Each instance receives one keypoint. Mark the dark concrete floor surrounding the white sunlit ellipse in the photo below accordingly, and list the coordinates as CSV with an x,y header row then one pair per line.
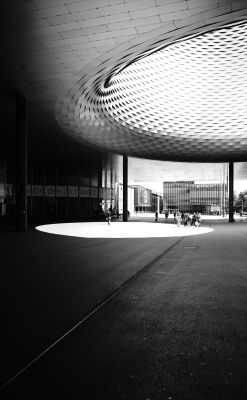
x,y
177,330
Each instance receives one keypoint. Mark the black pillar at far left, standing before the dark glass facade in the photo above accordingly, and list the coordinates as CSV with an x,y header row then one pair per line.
x,y
21,164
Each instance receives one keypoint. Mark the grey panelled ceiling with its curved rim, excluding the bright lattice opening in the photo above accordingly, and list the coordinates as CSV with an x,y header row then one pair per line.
x,y
51,44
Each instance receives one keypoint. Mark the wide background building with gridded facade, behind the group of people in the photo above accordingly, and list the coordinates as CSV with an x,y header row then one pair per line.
x,y
189,196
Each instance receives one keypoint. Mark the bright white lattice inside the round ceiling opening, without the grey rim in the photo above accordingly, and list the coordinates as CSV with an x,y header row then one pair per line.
x,y
192,89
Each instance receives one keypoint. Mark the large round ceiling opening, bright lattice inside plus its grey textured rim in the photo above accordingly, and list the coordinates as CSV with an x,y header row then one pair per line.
x,y
180,96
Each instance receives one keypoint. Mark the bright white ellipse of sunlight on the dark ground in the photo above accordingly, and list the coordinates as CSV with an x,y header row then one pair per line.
x,y
122,229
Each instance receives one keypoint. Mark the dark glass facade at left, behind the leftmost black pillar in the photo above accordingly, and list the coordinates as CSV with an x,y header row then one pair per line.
x,y
57,193
